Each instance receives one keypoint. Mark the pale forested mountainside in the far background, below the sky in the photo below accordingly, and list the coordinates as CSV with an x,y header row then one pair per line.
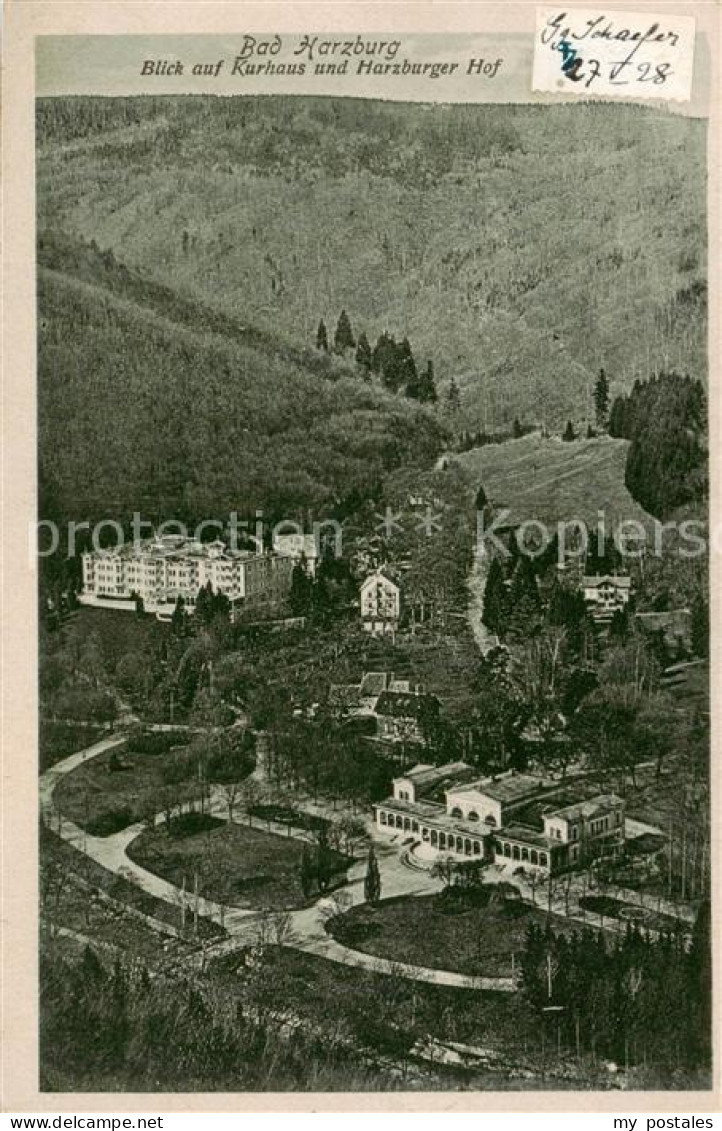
x,y
512,252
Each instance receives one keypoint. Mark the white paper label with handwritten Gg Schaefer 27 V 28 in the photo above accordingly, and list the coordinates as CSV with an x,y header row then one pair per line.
x,y
629,55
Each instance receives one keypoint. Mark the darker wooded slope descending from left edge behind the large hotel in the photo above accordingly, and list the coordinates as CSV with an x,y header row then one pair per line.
x,y
156,404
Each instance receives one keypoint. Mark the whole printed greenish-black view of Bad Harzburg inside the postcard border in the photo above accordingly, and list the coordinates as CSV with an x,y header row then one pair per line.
x,y
373,577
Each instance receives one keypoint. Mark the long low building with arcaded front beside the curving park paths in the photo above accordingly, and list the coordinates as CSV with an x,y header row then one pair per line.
x,y
514,819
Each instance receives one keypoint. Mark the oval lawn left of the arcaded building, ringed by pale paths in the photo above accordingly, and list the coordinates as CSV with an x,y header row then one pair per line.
x,y
237,865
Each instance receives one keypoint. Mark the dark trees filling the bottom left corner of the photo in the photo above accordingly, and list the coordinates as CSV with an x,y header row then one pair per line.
x,y
171,1033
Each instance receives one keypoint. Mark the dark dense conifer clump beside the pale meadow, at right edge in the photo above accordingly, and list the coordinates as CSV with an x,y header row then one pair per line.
x,y
666,421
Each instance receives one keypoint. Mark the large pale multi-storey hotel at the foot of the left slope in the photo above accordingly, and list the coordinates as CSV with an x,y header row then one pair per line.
x,y
159,571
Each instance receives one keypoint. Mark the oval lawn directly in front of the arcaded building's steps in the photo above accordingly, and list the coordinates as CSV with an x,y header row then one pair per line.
x,y
445,933
